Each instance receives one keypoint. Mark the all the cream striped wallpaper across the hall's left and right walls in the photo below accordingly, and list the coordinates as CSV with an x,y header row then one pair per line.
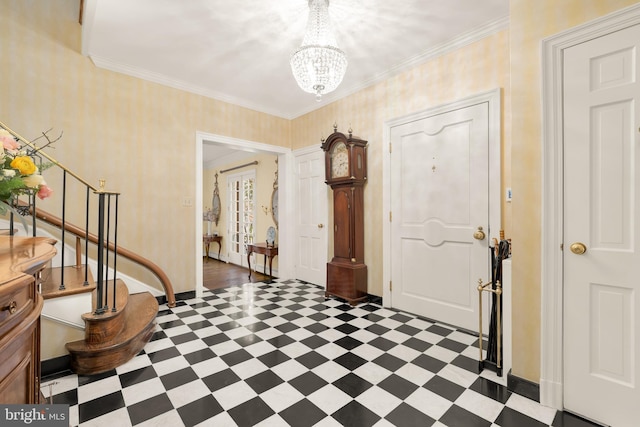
x,y
140,136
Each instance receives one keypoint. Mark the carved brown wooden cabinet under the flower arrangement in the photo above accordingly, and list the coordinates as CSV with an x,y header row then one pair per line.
x,y
22,262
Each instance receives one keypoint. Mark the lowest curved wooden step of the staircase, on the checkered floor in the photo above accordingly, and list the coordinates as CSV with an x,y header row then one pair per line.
x,y
138,327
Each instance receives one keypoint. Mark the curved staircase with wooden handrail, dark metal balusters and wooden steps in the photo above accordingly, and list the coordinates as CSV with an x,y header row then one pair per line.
x,y
112,335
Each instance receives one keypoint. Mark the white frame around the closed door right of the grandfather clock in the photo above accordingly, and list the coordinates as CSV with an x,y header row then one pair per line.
x,y
494,100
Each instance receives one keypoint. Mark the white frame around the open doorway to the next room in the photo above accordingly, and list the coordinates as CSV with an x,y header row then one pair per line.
x,y
286,232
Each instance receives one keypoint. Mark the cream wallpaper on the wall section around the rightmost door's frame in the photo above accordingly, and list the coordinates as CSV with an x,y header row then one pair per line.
x,y
530,22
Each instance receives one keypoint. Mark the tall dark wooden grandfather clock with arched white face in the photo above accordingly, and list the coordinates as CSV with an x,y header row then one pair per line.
x,y
346,173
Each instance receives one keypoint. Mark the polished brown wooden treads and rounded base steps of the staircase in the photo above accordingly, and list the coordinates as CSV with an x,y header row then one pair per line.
x,y
113,337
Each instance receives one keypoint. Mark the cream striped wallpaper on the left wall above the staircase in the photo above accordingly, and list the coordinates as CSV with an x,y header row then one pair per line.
x,y
138,136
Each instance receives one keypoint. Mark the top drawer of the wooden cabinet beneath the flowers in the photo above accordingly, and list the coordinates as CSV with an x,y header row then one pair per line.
x,y
16,299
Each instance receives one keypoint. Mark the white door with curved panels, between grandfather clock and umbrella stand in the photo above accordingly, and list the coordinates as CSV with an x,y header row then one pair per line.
x,y
439,197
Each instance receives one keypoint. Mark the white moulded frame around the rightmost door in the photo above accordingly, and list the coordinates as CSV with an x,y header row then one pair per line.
x,y
551,337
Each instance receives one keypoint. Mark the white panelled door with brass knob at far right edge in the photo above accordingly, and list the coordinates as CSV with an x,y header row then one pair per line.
x,y
602,215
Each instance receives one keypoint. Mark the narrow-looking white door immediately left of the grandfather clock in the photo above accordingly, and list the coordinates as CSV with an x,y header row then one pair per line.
x,y
311,218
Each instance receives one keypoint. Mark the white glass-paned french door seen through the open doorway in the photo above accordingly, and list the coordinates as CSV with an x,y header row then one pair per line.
x,y
241,214
